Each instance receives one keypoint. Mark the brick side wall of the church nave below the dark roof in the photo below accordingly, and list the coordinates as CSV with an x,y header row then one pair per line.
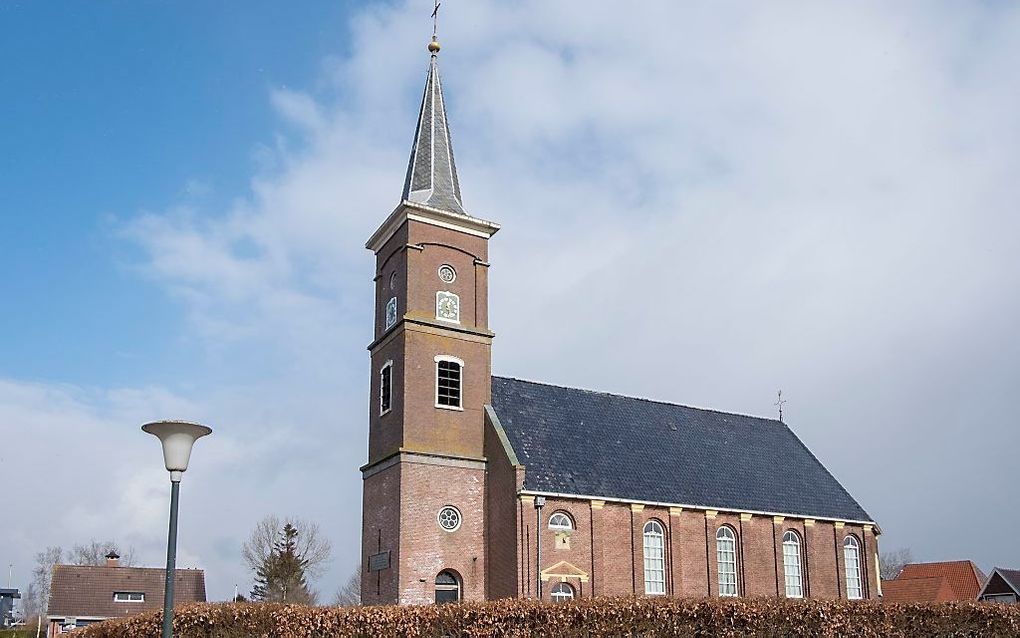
x,y
607,545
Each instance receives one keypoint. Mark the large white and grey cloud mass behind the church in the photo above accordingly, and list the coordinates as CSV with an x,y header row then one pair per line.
x,y
727,200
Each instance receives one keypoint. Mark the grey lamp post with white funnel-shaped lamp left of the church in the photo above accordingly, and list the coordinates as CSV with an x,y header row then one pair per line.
x,y
178,437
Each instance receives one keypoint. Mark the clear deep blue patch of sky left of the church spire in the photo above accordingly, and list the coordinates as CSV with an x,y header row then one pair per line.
x,y
111,109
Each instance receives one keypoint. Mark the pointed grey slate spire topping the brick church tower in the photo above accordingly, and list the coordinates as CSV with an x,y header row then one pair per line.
x,y
432,174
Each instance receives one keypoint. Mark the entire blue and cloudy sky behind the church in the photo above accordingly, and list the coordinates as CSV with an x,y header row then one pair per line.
x,y
701,204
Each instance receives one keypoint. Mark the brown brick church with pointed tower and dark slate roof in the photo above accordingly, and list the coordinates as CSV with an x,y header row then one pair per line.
x,y
482,487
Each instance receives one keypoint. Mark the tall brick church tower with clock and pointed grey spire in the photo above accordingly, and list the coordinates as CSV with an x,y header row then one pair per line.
x,y
424,515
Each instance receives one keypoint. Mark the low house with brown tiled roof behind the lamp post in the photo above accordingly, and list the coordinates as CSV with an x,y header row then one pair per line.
x,y
82,595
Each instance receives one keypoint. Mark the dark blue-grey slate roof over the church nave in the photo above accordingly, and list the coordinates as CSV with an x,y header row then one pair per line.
x,y
604,446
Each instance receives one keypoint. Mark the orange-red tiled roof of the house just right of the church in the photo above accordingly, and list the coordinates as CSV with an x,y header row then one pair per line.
x,y
935,582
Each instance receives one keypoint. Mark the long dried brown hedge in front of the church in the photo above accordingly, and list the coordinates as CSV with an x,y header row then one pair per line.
x,y
599,617
